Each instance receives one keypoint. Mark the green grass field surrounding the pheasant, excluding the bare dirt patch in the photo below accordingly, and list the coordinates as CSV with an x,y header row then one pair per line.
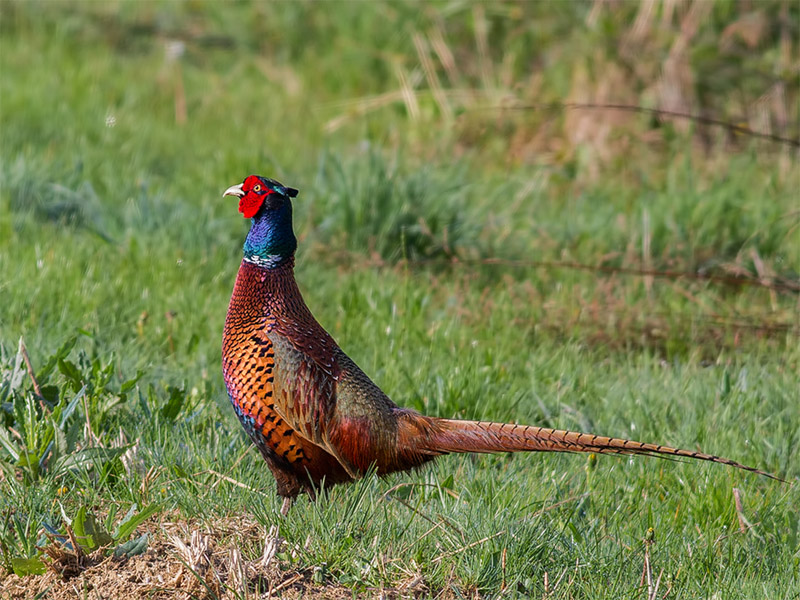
x,y
112,231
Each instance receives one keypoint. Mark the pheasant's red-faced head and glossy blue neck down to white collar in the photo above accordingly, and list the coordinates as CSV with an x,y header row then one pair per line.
x,y
271,241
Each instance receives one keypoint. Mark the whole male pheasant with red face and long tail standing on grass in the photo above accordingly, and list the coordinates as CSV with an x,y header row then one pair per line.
x,y
314,415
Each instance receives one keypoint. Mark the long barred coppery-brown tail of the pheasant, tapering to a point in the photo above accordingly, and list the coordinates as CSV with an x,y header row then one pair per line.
x,y
448,435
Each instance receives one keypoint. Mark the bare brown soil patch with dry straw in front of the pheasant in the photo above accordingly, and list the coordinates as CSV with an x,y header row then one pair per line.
x,y
183,563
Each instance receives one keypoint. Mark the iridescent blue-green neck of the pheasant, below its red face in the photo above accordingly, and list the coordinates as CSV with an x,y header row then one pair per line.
x,y
271,241
